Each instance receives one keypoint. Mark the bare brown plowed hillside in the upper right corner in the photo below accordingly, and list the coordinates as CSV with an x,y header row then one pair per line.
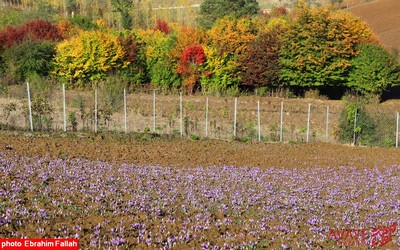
x,y
383,16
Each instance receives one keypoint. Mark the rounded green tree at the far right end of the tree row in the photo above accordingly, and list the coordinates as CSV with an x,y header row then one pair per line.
x,y
373,70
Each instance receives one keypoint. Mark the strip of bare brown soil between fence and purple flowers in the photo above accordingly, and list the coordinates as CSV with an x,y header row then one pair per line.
x,y
175,151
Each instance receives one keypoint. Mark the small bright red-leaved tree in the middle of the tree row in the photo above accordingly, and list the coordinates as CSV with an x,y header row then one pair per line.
x,y
189,66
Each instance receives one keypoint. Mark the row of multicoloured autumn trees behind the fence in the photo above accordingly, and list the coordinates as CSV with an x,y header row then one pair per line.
x,y
305,49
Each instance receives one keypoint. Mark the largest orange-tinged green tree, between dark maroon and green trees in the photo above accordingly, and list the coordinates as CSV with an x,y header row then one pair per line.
x,y
318,46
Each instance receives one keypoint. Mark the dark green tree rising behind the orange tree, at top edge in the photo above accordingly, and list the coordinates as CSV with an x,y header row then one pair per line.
x,y
211,10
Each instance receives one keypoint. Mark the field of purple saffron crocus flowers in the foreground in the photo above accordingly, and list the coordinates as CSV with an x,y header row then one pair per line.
x,y
126,205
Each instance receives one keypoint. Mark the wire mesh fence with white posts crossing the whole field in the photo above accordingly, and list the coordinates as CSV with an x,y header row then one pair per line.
x,y
247,118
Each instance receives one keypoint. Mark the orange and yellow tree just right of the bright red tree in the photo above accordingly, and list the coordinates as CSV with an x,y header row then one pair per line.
x,y
227,42
